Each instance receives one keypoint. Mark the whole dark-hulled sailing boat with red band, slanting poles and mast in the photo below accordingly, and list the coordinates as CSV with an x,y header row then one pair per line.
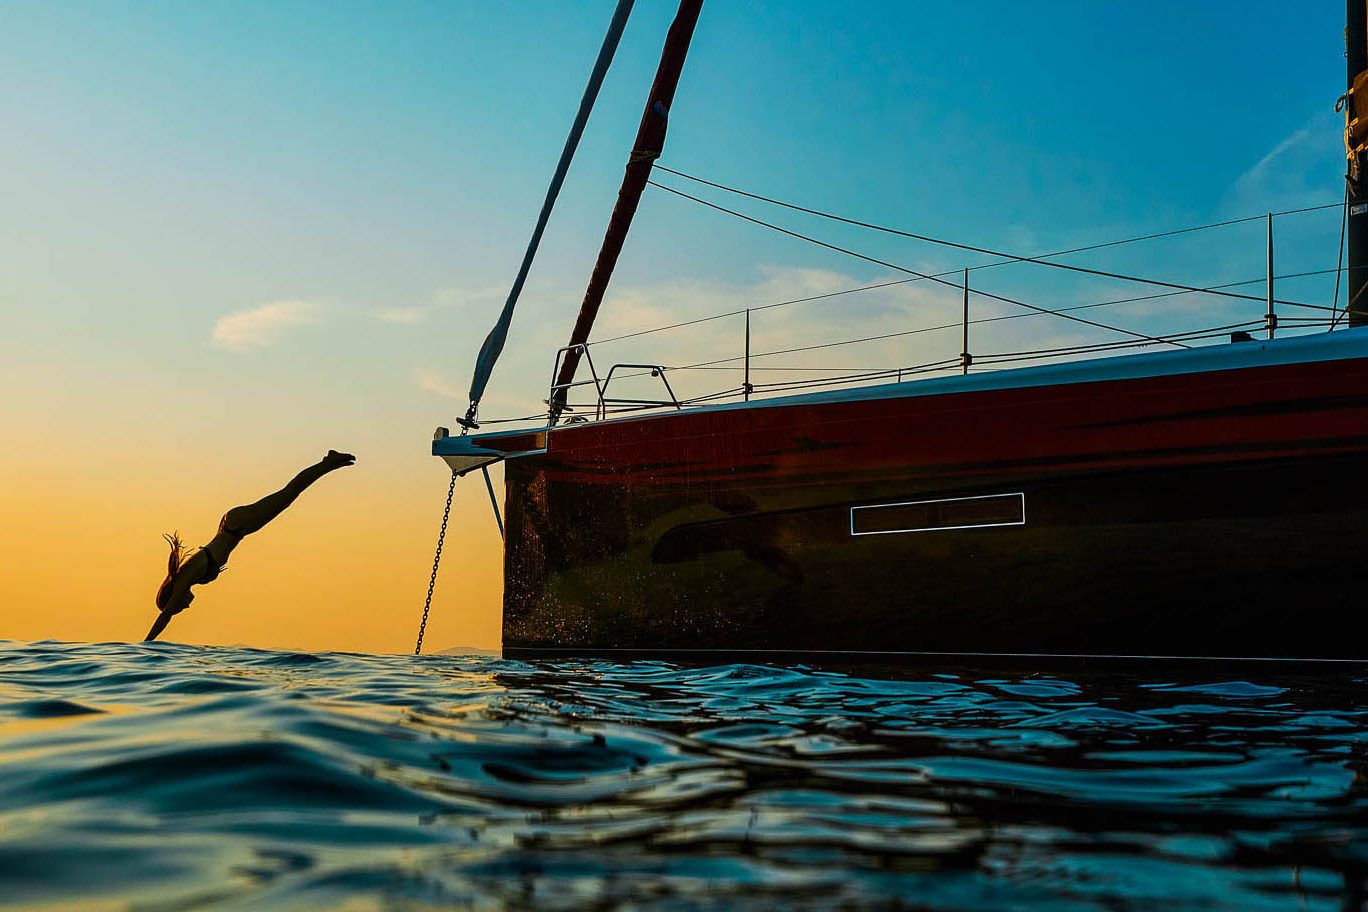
x,y
1202,502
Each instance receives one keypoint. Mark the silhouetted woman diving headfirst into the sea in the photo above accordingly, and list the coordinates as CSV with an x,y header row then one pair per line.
x,y
209,563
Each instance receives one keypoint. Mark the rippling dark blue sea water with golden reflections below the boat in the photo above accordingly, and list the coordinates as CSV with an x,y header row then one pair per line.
x,y
168,777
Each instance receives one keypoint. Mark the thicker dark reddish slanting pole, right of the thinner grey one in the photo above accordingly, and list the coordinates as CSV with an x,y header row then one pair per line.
x,y
646,150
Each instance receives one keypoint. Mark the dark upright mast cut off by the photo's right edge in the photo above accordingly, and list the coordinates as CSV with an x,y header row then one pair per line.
x,y
1356,136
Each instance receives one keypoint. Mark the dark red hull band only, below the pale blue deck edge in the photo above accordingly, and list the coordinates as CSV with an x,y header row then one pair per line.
x,y
1247,414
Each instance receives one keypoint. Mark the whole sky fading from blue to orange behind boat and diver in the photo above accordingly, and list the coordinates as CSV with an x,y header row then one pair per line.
x,y
236,234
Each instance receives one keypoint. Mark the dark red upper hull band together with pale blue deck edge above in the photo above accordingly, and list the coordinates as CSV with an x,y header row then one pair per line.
x,y
1114,414
